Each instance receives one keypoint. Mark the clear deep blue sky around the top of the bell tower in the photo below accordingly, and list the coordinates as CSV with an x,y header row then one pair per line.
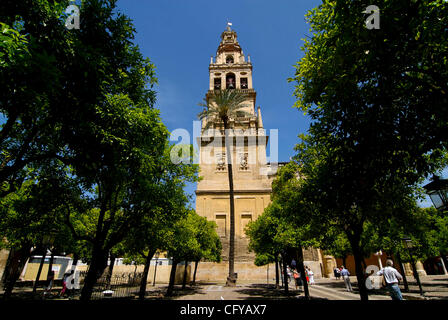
x,y
180,36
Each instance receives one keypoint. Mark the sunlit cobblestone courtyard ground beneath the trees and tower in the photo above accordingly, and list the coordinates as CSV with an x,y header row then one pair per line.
x,y
434,287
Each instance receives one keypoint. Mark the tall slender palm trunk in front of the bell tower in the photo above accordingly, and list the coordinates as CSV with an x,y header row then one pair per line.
x,y
231,280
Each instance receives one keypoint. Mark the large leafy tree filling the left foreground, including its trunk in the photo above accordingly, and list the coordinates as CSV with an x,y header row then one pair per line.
x,y
80,105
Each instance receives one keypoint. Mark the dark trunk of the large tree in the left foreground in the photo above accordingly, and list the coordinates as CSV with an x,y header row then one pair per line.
x,y
96,268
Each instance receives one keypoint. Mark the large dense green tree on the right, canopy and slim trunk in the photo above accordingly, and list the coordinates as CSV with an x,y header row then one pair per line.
x,y
376,99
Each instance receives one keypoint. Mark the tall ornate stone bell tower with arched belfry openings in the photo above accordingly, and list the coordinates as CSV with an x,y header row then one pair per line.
x,y
252,175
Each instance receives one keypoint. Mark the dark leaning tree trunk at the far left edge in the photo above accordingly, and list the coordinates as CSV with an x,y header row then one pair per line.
x,y
16,263
